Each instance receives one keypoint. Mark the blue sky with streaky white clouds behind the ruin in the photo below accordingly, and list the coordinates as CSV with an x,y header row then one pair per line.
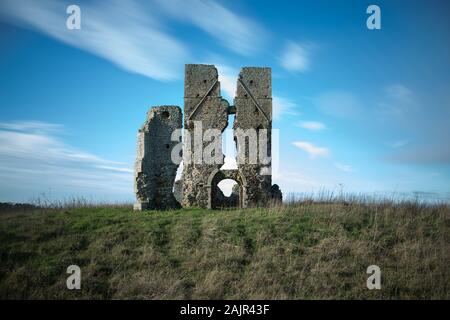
x,y
359,109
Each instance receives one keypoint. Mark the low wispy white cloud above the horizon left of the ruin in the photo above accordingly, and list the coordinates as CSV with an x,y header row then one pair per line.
x,y
34,159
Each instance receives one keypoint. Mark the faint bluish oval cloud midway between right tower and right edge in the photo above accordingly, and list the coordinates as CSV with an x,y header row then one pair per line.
x,y
339,104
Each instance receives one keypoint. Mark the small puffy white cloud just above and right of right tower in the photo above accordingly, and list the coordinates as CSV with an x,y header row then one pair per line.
x,y
295,57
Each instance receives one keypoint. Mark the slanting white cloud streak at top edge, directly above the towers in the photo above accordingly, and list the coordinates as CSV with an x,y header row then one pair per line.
x,y
233,31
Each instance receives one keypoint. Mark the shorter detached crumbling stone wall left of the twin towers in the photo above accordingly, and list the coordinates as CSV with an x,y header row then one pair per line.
x,y
154,169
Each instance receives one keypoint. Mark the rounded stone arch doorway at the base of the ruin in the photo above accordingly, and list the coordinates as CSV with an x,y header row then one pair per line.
x,y
218,175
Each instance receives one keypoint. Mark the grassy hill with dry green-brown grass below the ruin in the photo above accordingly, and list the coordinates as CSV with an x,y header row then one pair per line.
x,y
300,251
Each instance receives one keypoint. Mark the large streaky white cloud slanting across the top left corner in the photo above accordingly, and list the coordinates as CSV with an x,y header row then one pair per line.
x,y
122,32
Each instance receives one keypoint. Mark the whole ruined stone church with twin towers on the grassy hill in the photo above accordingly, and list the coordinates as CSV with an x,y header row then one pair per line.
x,y
155,170
